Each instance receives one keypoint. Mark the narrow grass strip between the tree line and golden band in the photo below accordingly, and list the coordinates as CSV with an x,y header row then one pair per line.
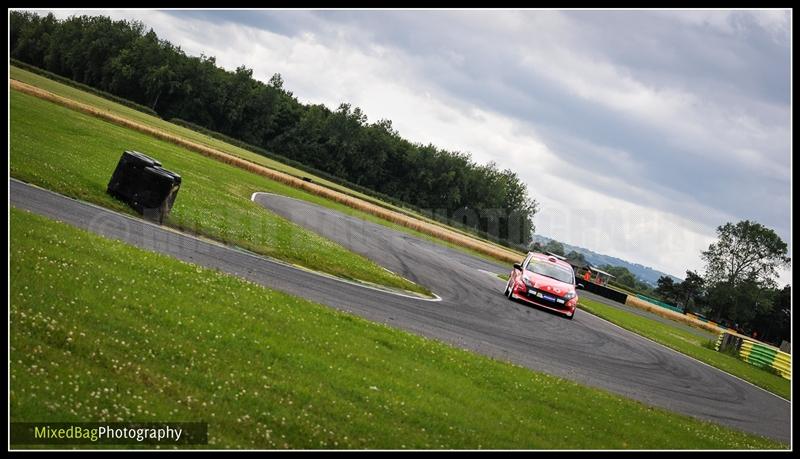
x,y
158,123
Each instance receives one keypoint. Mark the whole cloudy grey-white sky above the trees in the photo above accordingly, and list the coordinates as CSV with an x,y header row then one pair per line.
x,y
638,132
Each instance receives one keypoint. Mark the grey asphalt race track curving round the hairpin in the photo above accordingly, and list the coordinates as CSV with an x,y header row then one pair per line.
x,y
472,314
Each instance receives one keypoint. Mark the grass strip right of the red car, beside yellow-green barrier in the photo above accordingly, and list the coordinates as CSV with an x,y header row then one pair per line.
x,y
689,344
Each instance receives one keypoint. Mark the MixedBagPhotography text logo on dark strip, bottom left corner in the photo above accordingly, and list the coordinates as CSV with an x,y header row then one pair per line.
x,y
109,433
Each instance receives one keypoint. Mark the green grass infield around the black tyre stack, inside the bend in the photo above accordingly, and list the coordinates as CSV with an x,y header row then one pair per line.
x,y
75,154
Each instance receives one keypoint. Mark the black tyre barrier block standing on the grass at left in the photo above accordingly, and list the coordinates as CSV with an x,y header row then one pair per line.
x,y
143,184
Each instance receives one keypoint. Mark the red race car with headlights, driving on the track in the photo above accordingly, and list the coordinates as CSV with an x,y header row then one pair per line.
x,y
544,281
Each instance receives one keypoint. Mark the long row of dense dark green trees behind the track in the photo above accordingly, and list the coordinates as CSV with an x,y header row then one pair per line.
x,y
124,59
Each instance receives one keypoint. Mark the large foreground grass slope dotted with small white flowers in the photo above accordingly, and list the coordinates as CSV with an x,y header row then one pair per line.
x,y
103,331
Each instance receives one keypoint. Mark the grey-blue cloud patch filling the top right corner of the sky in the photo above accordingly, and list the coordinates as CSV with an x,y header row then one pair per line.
x,y
660,50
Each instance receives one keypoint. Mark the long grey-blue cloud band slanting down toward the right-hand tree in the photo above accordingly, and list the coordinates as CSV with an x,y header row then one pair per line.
x,y
558,117
